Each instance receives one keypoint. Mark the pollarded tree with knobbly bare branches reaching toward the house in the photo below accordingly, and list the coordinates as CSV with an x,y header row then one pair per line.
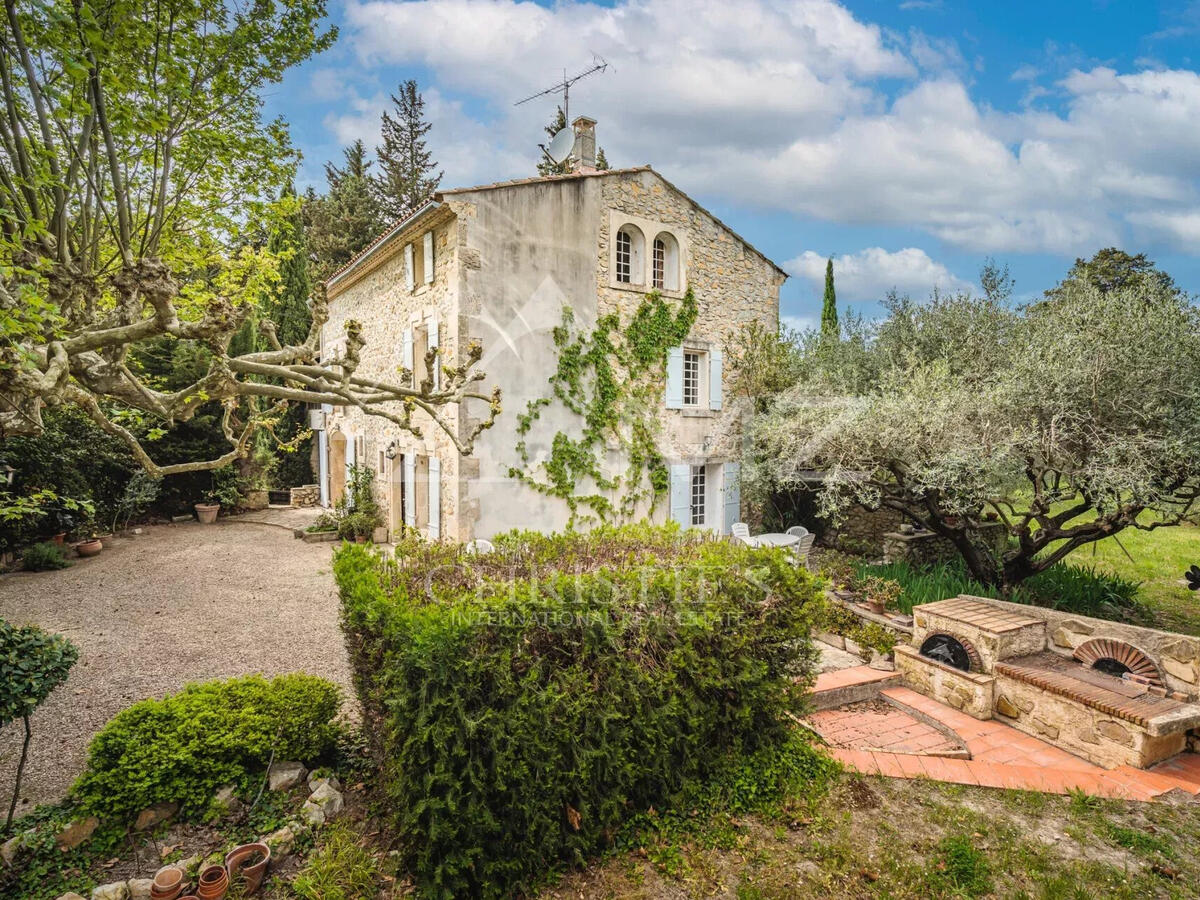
x,y
136,171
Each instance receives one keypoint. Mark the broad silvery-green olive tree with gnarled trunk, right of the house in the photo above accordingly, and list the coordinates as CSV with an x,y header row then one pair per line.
x,y
1069,422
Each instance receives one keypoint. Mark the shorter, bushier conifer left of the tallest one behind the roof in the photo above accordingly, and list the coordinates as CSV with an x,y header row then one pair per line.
x,y
347,219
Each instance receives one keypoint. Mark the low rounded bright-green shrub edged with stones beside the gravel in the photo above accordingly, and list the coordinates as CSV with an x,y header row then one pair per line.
x,y
185,747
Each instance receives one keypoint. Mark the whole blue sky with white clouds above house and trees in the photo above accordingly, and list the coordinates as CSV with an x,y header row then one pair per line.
x,y
910,140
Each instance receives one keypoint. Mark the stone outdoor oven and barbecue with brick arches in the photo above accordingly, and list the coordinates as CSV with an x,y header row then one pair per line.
x,y
1113,694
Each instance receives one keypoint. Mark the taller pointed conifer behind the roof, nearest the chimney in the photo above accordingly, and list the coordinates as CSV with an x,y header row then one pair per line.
x,y
406,165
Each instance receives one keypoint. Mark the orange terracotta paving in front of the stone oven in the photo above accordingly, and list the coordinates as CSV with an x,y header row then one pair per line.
x,y
1001,757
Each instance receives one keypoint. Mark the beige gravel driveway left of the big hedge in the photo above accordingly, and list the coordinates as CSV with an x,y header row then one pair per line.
x,y
155,611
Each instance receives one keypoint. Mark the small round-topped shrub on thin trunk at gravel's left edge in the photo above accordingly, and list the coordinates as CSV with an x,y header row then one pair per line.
x,y
33,663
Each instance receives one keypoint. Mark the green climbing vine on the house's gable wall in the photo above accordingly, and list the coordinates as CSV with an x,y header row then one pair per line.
x,y
613,379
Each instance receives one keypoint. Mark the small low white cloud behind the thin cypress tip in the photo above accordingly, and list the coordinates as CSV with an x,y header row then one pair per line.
x,y
871,274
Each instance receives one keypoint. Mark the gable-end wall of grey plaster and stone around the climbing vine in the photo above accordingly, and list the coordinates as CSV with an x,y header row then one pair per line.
x,y
533,249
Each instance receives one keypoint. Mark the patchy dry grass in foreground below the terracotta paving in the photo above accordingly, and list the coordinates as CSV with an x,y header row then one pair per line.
x,y
909,841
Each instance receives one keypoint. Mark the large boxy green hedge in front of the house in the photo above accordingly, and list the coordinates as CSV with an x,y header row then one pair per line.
x,y
524,705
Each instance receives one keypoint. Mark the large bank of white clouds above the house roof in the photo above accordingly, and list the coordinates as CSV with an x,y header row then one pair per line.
x,y
793,106
